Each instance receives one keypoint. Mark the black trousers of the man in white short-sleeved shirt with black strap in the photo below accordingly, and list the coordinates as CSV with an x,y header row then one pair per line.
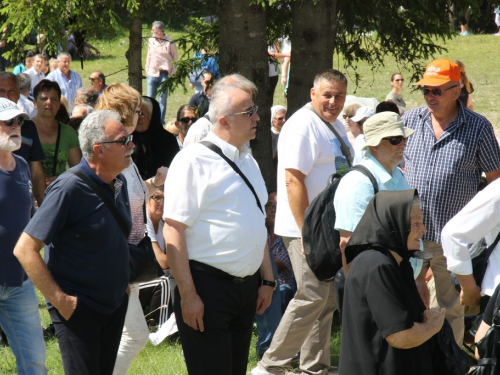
x,y
229,312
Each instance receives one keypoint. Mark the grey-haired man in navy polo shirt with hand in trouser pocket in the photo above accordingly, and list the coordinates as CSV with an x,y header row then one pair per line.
x,y
86,274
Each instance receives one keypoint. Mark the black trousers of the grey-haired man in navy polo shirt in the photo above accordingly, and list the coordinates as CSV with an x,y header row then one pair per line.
x,y
89,340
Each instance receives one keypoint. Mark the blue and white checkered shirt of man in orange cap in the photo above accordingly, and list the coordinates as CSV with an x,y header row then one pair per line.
x,y
446,172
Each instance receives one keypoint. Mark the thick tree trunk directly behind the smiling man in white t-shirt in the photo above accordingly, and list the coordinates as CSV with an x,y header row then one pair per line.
x,y
312,47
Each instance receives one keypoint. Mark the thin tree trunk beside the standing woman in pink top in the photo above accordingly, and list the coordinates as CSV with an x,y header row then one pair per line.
x,y
134,52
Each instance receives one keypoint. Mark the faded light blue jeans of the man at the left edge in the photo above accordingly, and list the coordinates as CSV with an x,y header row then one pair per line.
x,y
20,320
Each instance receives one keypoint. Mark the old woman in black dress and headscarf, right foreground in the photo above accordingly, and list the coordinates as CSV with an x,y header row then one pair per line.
x,y
386,328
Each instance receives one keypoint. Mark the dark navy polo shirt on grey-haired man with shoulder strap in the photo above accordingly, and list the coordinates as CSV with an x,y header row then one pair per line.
x,y
86,251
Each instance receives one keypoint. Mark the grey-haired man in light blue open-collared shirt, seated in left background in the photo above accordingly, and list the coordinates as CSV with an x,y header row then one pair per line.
x,y
69,81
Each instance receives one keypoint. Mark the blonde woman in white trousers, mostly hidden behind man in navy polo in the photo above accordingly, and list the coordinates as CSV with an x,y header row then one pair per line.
x,y
127,102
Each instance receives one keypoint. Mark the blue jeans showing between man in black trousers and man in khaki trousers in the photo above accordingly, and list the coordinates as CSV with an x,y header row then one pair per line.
x,y
269,320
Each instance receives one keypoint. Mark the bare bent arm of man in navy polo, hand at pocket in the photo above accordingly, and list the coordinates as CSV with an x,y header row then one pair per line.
x,y
27,251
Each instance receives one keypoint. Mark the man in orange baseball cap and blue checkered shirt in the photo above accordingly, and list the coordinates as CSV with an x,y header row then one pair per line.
x,y
451,148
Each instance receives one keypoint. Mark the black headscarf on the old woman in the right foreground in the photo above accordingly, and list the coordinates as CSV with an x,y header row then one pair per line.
x,y
385,224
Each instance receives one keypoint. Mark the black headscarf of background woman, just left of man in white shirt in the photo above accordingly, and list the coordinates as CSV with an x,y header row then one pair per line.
x,y
161,145
